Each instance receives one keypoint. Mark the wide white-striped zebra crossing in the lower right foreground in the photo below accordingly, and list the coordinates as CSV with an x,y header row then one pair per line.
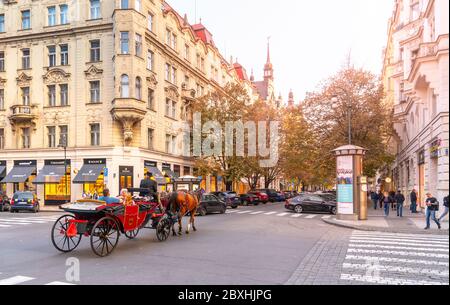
x,y
396,259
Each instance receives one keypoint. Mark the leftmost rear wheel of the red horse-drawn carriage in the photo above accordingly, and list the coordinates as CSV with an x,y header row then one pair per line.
x,y
60,240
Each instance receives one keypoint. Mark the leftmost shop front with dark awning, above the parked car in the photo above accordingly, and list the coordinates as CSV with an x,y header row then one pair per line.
x,y
22,175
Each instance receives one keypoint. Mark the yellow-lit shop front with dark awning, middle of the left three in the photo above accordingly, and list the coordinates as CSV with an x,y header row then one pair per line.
x,y
55,177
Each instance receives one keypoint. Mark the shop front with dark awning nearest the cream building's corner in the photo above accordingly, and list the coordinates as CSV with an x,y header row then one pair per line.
x,y
91,176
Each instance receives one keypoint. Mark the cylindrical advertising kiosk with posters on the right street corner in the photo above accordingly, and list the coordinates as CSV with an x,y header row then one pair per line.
x,y
350,190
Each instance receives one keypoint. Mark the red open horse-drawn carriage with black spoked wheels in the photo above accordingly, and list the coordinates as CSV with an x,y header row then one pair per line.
x,y
103,223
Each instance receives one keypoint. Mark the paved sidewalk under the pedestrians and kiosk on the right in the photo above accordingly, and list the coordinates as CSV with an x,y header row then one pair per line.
x,y
410,223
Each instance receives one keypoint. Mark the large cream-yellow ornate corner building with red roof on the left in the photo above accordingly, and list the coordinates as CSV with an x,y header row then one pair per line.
x,y
107,83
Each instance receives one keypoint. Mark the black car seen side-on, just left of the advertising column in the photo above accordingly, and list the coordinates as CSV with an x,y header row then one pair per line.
x,y
312,203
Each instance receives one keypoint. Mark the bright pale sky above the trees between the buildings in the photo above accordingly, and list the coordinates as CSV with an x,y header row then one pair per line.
x,y
310,39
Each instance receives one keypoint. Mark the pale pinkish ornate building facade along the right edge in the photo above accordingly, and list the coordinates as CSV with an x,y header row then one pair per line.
x,y
415,77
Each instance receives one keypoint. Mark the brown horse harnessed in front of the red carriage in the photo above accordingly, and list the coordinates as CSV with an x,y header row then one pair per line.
x,y
184,203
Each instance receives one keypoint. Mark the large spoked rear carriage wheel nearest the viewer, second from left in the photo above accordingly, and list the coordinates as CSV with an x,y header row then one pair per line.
x,y
104,236
